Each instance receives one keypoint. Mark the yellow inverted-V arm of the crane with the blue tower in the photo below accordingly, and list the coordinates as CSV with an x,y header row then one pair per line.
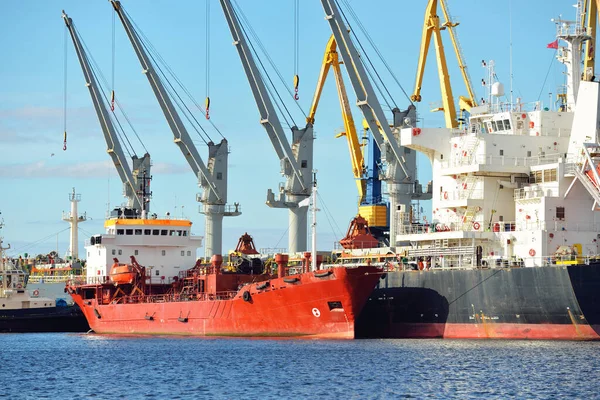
x,y
331,59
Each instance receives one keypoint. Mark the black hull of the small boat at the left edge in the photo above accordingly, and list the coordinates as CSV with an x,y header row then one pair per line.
x,y
54,319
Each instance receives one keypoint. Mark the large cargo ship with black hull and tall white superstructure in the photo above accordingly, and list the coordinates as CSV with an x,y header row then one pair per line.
x,y
511,248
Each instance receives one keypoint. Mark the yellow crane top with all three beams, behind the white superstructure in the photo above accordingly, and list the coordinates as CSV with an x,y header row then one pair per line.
x,y
432,26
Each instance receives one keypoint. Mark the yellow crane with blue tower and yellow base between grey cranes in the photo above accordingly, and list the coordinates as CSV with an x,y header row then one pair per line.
x,y
370,203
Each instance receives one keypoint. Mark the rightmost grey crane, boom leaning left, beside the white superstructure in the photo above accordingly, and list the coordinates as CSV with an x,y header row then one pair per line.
x,y
400,163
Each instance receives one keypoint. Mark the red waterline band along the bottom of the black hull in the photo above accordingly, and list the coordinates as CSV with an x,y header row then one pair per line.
x,y
497,331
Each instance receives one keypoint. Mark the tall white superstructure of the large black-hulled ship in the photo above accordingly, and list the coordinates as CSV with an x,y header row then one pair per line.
x,y
518,185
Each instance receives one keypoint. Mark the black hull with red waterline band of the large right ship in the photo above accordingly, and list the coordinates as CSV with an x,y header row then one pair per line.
x,y
554,302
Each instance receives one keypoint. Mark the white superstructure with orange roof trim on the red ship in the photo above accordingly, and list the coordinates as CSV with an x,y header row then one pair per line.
x,y
165,246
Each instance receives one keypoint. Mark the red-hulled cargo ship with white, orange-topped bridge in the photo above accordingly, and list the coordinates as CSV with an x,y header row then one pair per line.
x,y
245,295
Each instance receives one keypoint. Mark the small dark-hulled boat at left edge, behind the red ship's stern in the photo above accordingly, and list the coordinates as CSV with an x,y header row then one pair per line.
x,y
21,311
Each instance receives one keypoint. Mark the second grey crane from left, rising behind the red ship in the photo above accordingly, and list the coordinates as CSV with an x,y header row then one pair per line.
x,y
212,179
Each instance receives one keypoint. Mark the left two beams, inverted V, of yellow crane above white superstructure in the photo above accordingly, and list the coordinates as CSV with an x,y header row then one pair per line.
x,y
431,27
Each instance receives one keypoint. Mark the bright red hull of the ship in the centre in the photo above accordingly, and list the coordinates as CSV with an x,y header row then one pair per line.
x,y
299,308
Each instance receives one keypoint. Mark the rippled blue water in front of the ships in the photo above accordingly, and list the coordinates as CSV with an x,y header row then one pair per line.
x,y
68,366
